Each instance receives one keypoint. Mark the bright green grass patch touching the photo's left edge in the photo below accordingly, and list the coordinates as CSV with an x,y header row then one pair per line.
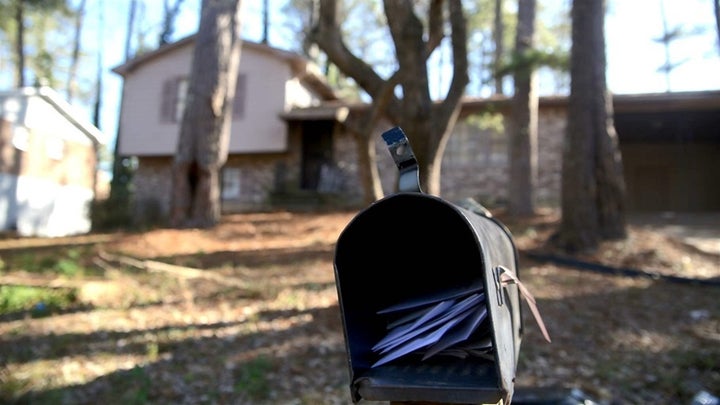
x,y
39,300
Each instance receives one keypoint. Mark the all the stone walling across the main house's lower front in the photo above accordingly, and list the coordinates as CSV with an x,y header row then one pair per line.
x,y
475,165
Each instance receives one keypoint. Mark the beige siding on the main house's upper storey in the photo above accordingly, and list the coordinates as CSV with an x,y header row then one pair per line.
x,y
270,90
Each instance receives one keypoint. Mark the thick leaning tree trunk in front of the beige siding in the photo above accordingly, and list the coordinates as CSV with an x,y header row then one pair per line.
x,y
205,129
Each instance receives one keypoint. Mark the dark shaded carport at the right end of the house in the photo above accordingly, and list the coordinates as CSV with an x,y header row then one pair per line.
x,y
670,143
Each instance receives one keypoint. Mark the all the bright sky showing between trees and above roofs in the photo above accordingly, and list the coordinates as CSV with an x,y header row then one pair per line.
x,y
631,25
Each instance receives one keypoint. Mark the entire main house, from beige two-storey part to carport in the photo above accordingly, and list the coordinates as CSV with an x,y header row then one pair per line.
x,y
290,146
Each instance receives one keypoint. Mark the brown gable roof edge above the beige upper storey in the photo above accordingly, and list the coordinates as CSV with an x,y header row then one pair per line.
x,y
303,68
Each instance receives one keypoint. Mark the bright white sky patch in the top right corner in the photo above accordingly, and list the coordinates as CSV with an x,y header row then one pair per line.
x,y
633,57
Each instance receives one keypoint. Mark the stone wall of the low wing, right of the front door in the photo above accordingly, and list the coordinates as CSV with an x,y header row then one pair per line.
x,y
475,163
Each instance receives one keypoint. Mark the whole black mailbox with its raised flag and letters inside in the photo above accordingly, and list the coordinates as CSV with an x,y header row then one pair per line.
x,y
402,267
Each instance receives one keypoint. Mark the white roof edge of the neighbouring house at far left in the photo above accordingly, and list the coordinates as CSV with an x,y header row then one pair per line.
x,y
63,108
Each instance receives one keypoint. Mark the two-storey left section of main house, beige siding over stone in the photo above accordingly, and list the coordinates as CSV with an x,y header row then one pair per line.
x,y
270,82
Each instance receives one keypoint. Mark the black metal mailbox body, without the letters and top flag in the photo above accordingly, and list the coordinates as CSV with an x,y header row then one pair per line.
x,y
412,244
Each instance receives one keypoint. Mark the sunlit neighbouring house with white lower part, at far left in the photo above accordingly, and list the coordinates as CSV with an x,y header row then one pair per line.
x,y
48,161
